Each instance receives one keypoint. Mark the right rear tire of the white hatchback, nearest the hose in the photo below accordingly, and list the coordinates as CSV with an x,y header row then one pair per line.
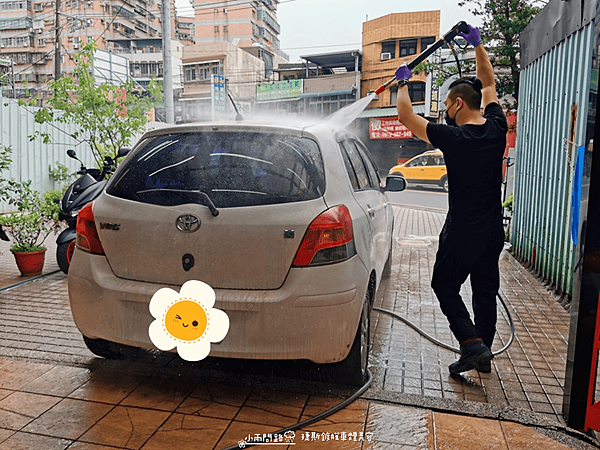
x,y
353,369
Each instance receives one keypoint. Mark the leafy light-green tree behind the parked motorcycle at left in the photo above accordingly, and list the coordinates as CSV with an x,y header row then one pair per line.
x,y
106,115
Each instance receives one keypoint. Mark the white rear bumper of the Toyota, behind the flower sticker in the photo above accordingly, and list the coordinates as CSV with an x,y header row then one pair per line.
x,y
313,316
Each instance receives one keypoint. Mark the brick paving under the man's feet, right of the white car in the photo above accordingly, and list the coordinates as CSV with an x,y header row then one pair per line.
x,y
530,375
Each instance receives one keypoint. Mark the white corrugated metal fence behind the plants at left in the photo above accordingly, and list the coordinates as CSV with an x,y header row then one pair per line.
x,y
31,159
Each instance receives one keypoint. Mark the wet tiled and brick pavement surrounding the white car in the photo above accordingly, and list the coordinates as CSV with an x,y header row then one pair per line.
x,y
54,393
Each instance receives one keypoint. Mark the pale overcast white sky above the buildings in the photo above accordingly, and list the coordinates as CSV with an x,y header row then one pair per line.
x,y
310,27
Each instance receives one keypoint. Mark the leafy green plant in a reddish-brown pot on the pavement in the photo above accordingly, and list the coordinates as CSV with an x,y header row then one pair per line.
x,y
29,226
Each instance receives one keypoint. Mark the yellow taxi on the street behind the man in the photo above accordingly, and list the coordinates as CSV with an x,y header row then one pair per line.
x,y
426,168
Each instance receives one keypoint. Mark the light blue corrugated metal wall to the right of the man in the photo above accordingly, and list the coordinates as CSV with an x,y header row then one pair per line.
x,y
552,119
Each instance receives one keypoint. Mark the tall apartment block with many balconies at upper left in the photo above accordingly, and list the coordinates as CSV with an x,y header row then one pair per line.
x,y
28,31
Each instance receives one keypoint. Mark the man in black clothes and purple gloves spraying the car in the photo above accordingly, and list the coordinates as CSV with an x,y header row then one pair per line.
x,y
473,144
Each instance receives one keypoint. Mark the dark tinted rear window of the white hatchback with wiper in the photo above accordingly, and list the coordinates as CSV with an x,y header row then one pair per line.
x,y
234,169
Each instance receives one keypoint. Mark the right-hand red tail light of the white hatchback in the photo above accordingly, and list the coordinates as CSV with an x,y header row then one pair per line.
x,y
329,239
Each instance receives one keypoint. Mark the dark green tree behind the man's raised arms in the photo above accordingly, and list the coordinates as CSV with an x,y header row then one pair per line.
x,y
502,24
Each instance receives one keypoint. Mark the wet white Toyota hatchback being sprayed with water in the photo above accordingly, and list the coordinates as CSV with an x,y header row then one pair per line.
x,y
290,227
